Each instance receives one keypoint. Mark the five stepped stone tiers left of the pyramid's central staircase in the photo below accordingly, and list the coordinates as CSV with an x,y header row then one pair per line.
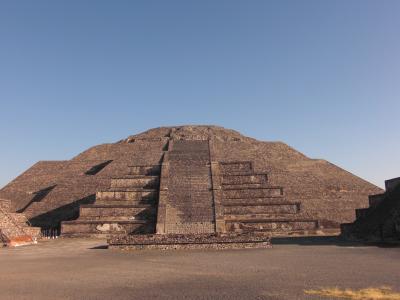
x,y
129,206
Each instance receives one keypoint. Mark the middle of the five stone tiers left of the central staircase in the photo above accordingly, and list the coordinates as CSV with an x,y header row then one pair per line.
x,y
128,195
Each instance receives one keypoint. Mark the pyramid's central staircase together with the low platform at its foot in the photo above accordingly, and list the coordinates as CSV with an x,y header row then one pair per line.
x,y
186,211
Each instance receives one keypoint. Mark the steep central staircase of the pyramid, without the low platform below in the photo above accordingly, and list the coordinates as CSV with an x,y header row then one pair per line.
x,y
189,200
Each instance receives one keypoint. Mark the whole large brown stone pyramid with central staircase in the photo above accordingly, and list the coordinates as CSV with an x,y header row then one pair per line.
x,y
191,184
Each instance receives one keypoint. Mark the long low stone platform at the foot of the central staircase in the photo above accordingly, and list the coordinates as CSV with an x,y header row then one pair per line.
x,y
189,241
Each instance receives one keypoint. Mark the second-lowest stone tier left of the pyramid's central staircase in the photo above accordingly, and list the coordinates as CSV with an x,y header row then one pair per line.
x,y
128,211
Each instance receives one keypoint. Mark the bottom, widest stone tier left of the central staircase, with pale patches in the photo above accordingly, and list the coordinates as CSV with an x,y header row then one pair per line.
x,y
105,227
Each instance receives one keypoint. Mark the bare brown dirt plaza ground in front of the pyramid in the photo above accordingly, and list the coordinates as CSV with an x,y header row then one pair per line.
x,y
84,269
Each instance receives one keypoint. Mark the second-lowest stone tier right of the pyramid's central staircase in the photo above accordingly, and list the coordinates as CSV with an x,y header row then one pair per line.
x,y
288,208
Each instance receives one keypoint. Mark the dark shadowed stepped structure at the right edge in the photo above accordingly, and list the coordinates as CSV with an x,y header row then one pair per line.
x,y
381,220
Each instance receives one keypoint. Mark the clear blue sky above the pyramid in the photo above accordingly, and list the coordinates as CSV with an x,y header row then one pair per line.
x,y
322,76
